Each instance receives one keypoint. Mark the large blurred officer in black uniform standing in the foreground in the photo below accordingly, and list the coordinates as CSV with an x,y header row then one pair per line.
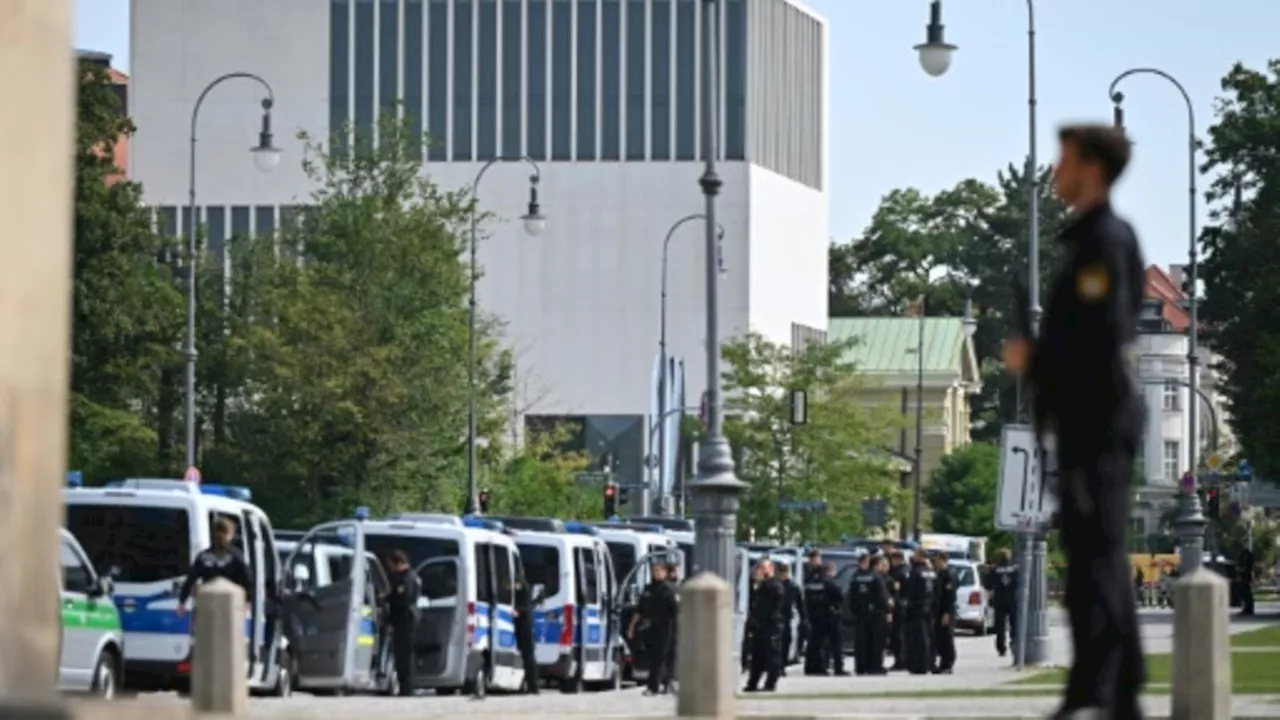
x,y
1085,393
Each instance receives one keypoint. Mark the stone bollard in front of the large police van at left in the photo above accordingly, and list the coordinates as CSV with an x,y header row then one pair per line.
x,y
218,683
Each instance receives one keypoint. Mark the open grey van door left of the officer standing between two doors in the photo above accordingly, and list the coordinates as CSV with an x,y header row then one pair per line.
x,y
322,607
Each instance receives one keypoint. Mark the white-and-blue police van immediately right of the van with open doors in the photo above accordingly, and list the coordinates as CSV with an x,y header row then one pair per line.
x,y
577,632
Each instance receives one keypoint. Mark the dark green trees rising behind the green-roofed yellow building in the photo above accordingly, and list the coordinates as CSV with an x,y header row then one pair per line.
x,y
939,247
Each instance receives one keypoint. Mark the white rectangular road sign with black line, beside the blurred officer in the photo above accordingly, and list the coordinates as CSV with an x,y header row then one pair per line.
x,y
1027,476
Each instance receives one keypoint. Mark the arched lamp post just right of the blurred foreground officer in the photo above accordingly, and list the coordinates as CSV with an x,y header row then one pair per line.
x,y
1191,521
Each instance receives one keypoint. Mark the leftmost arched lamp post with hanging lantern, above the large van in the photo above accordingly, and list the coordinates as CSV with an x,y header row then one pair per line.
x,y
267,157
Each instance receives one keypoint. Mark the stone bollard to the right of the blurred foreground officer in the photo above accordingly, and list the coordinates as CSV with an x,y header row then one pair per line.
x,y
1203,653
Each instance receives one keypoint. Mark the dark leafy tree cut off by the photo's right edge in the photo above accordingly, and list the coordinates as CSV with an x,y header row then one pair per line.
x,y
1241,312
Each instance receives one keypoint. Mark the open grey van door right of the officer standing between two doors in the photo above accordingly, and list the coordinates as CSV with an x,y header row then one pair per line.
x,y
442,640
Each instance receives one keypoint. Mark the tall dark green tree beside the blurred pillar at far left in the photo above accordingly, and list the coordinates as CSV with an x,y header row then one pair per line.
x,y
127,307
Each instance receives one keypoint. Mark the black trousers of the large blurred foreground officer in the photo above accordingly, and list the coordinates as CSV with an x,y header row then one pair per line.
x,y
1096,471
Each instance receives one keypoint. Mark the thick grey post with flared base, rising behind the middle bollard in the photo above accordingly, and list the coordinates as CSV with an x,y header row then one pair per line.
x,y
717,491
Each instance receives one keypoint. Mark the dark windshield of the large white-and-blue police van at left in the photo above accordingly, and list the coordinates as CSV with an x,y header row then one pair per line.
x,y
143,545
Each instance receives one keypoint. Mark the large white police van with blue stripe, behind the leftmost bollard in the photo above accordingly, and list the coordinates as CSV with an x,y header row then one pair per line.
x,y
145,535
